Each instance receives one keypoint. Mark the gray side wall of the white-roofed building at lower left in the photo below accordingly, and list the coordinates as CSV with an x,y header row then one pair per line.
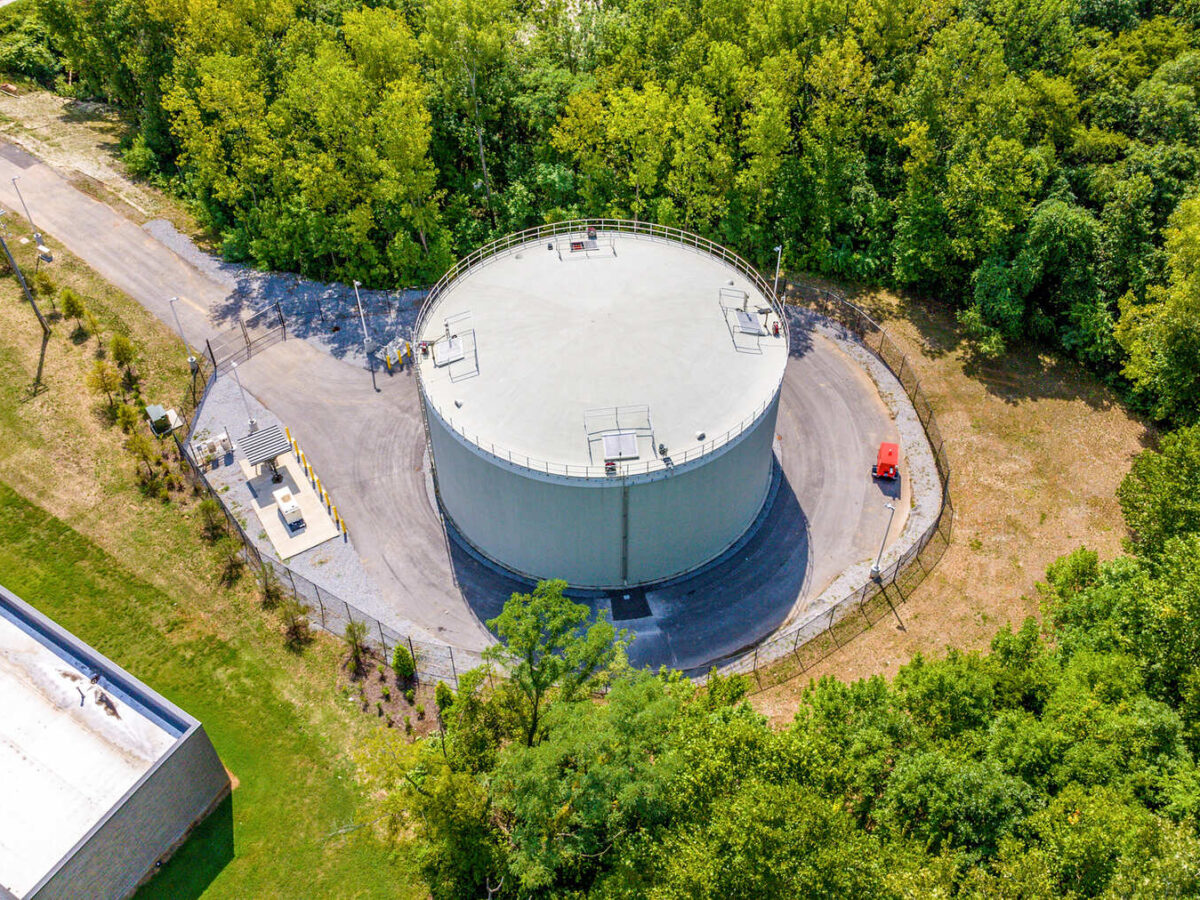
x,y
148,823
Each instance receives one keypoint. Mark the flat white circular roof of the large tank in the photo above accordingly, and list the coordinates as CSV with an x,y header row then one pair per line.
x,y
550,350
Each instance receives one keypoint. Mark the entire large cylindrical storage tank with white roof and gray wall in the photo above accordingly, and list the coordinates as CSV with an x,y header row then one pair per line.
x,y
601,400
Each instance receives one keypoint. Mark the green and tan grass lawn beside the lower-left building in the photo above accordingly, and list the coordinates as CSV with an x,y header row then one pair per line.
x,y
134,578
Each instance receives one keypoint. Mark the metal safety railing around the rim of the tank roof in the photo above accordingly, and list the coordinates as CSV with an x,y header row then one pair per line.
x,y
501,247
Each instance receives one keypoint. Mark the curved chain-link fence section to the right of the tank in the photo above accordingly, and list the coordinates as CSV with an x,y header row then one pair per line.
x,y
800,647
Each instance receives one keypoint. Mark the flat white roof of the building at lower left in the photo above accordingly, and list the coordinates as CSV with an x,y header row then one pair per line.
x,y
69,752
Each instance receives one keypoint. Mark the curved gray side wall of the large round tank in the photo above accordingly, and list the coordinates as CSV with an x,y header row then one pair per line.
x,y
572,530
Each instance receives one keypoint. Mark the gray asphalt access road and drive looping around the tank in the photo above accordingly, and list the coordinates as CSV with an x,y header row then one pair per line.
x,y
369,447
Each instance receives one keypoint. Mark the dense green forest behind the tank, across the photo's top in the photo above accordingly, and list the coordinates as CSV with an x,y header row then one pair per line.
x,y
1030,163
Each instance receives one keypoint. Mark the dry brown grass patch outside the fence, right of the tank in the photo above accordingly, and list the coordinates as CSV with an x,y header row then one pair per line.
x,y
1037,448
